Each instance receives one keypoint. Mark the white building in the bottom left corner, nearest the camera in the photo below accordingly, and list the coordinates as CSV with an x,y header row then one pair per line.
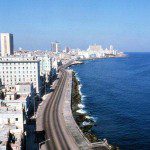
x,y
11,128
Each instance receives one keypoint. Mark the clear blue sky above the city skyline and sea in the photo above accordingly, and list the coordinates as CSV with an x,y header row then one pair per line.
x,y
77,23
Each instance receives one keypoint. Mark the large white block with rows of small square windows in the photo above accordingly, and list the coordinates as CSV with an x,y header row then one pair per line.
x,y
13,72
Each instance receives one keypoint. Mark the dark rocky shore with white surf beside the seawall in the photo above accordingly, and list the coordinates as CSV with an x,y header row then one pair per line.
x,y
84,121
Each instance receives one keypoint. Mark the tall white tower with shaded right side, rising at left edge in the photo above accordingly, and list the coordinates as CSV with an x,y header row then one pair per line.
x,y
7,45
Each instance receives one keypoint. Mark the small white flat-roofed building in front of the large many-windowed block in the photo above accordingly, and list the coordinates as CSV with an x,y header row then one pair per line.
x,y
20,97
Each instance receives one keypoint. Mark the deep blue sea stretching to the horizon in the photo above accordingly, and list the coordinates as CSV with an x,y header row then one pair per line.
x,y
116,92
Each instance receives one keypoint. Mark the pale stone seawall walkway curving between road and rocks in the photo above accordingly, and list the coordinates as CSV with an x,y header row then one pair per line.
x,y
71,125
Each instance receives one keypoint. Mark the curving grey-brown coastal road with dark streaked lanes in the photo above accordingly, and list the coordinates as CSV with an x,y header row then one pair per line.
x,y
54,124
